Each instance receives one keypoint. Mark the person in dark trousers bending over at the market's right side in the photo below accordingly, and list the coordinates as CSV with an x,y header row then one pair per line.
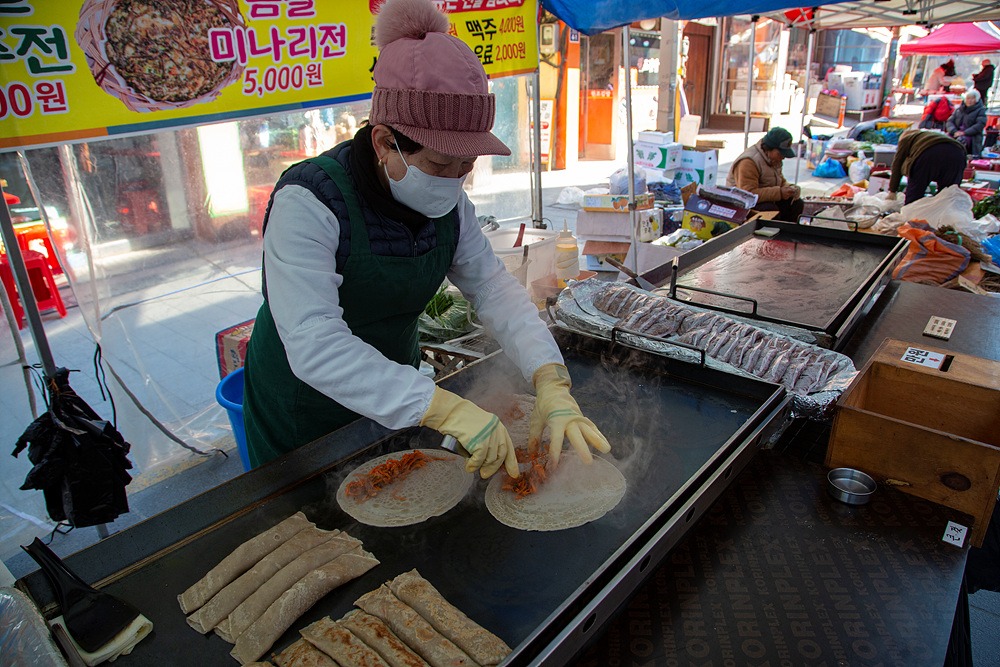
x,y
926,156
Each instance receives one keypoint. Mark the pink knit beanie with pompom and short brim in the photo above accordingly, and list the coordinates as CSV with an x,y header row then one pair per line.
x,y
429,85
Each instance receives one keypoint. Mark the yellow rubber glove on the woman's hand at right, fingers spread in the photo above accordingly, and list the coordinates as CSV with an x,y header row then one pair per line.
x,y
555,408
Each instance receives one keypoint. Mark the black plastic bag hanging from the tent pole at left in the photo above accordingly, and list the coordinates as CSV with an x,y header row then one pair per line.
x,y
80,460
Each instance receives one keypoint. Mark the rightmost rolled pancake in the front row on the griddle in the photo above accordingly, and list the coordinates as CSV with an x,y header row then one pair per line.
x,y
482,645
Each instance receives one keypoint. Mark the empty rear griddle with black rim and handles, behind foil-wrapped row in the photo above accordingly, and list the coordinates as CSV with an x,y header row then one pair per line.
x,y
815,279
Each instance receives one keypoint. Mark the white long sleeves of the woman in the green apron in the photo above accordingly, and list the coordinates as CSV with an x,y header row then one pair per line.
x,y
300,249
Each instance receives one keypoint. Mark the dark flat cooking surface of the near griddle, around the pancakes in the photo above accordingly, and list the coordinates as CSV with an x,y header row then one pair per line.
x,y
665,431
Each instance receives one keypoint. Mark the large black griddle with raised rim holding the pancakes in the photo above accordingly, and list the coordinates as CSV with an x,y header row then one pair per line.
x,y
680,434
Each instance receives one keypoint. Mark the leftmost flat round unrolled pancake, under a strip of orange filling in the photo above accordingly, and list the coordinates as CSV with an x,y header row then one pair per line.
x,y
428,491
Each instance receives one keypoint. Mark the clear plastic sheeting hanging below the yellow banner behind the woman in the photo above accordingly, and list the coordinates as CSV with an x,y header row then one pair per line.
x,y
159,238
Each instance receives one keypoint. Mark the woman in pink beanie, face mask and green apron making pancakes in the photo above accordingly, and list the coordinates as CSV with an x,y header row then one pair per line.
x,y
359,239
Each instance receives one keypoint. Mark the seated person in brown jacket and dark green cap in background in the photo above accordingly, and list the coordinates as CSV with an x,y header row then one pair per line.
x,y
758,170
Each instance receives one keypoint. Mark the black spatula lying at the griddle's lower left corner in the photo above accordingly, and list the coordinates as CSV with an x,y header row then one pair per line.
x,y
93,618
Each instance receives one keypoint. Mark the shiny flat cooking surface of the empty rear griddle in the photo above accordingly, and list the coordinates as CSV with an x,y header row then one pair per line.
x,y
796,278
